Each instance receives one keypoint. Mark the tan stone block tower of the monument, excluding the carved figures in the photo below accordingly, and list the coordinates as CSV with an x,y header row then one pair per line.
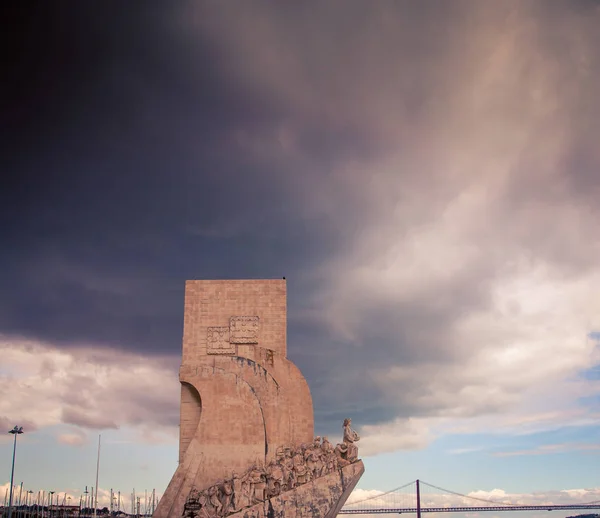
x,y
241,398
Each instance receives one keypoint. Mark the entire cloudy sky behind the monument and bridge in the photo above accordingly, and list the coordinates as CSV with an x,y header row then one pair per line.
x,y
425,174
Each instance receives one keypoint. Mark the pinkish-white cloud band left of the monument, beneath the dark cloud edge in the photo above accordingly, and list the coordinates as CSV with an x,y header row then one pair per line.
x,y
88,388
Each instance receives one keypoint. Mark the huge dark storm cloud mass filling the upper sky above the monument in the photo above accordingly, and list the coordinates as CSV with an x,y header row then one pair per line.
x,y
398,162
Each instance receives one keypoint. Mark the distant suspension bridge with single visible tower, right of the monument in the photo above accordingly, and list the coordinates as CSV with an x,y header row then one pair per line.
x,y
420,497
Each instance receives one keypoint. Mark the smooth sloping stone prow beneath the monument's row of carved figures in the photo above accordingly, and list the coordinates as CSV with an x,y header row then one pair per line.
x,y
323,497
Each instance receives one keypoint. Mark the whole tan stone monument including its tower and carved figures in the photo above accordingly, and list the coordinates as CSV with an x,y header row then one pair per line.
x,y
246,444
